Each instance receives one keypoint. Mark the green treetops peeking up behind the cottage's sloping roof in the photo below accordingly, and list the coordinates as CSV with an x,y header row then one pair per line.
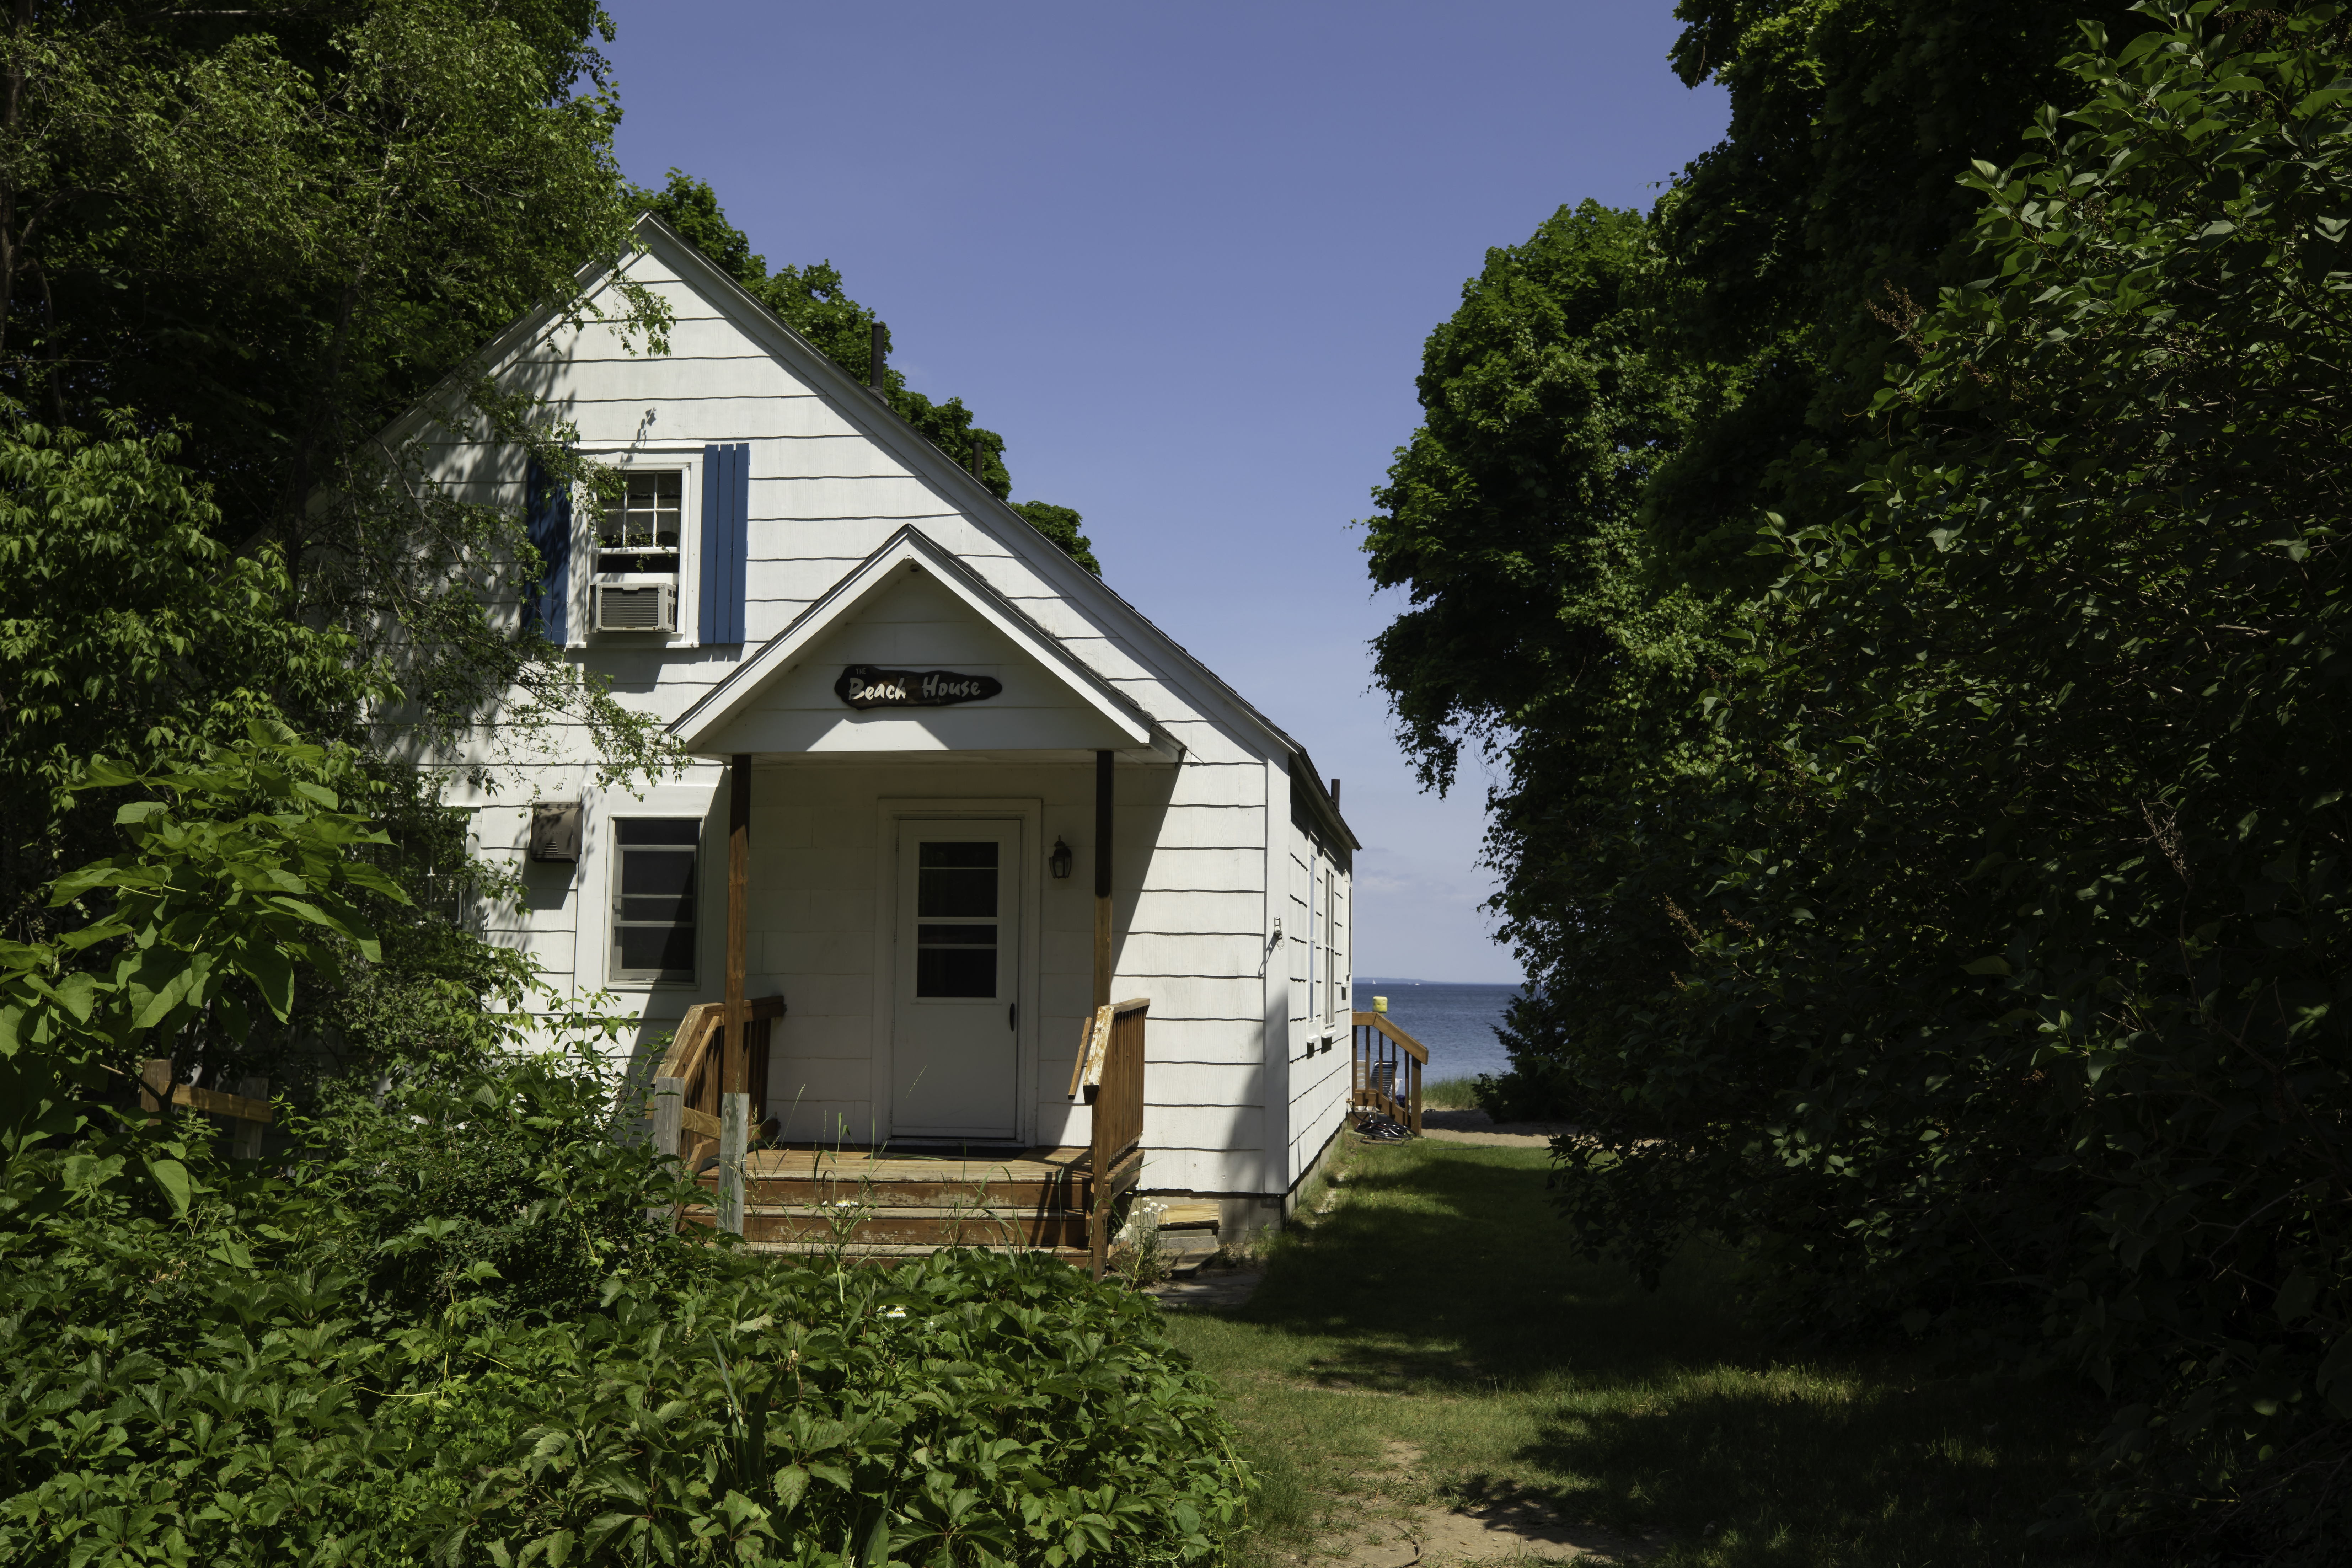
x,y
815,304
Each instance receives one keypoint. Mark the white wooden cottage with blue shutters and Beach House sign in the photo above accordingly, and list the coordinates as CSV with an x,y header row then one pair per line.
x,y
914,704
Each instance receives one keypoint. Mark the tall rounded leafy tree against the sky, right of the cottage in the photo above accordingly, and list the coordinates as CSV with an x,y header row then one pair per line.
x,y
1572,518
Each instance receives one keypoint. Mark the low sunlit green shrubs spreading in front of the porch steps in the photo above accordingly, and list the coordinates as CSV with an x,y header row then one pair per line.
x,y
286,1376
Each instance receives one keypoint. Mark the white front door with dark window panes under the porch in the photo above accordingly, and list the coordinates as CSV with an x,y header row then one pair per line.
x,y
956,1061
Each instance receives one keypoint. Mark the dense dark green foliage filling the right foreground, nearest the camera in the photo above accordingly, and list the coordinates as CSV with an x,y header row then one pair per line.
x,y
1960,911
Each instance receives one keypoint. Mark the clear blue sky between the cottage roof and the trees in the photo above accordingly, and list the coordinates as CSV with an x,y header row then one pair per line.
x,y
1184,262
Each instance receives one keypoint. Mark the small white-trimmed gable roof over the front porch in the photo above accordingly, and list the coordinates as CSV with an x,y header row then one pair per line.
x,y
700,725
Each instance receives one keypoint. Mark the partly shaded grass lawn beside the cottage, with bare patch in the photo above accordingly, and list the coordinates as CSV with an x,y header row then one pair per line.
x,y
1434,1315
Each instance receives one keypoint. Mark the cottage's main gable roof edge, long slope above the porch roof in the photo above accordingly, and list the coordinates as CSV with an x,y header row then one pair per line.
x,y
1147,643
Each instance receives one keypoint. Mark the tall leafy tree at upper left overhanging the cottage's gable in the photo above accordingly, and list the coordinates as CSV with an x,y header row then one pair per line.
x,y
269,232
